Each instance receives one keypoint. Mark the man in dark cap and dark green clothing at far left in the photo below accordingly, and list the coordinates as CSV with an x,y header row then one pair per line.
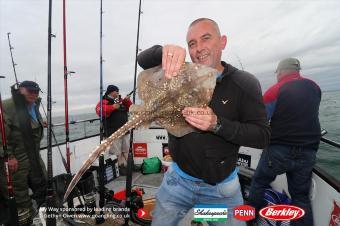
x,y
24,131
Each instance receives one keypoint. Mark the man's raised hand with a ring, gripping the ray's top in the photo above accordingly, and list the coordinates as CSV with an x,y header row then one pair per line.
x,y
172,59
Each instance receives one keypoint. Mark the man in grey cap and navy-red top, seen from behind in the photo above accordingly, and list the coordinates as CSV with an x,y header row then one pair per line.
x,y
292,106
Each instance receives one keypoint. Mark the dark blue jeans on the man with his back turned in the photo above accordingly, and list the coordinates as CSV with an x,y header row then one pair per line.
x,y
297,163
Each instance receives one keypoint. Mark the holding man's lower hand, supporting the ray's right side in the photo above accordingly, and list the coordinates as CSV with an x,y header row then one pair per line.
x,y
202,118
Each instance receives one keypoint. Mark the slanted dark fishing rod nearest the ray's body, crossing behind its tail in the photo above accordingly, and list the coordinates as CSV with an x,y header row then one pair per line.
x,y
130,162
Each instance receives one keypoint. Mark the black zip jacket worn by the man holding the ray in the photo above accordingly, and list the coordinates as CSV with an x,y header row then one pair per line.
x,y
237,101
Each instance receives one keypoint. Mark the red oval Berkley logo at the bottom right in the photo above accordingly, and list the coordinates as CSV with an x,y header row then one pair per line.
x,y
282,212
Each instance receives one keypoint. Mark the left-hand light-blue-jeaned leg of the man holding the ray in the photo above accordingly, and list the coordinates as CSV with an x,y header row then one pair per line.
x,y
173,200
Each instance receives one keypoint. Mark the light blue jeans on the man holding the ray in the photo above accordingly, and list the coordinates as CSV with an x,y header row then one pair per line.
x,y
176,196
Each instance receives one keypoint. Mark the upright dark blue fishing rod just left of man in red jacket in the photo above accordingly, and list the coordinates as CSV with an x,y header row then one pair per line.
x,y
100,219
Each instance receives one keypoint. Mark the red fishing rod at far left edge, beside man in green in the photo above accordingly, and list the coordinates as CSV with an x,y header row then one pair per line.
x,y
13,212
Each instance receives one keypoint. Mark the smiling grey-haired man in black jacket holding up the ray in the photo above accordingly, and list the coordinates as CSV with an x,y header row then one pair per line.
x,y
204,169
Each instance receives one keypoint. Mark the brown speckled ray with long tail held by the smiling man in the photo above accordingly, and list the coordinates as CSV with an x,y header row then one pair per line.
x,y
162,102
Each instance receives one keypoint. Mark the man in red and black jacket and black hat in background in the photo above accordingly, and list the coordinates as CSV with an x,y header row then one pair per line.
x,y
115,115
